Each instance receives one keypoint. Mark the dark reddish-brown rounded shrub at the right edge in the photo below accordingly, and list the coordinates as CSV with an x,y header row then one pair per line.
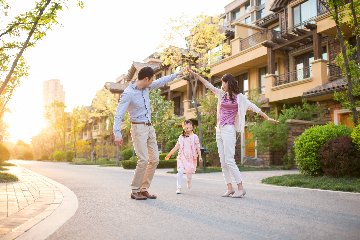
x,y
340,158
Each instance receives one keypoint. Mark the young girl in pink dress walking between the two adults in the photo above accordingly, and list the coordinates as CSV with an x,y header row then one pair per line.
x,y
189,149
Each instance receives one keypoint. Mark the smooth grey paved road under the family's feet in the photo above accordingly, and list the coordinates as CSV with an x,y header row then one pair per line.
x,y
268,212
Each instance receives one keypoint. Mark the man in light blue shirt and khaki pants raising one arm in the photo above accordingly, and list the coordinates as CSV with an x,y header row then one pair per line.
x,y
135,99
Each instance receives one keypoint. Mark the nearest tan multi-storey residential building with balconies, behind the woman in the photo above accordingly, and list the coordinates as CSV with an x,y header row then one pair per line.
x,y
285,54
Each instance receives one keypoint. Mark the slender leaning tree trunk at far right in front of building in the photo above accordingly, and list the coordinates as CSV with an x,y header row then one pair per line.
x,y
347,66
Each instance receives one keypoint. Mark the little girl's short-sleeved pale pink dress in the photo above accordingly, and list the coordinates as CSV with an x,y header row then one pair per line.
x,y
187,157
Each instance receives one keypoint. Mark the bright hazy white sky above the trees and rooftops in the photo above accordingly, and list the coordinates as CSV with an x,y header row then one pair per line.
x,y
94,45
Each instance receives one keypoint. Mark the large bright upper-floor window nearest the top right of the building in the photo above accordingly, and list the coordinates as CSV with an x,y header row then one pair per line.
x,y
304,11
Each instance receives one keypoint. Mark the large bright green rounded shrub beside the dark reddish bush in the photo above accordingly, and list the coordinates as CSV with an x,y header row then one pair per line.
x,y
307,146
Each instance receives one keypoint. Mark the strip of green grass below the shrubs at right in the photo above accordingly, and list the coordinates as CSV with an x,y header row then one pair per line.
x,y
323,182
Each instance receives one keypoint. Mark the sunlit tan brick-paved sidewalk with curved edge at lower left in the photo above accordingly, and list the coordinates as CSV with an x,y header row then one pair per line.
x,y
25,203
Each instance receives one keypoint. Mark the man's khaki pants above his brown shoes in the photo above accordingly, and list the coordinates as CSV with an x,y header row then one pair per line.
x,y
145,144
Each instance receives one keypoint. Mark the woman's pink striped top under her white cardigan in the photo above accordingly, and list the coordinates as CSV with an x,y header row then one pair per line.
x,y
228,111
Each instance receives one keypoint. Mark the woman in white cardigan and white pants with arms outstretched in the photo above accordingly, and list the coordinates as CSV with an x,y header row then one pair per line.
x,y
231,111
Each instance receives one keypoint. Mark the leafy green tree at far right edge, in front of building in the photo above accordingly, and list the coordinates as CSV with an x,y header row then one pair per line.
x,y
347,61
